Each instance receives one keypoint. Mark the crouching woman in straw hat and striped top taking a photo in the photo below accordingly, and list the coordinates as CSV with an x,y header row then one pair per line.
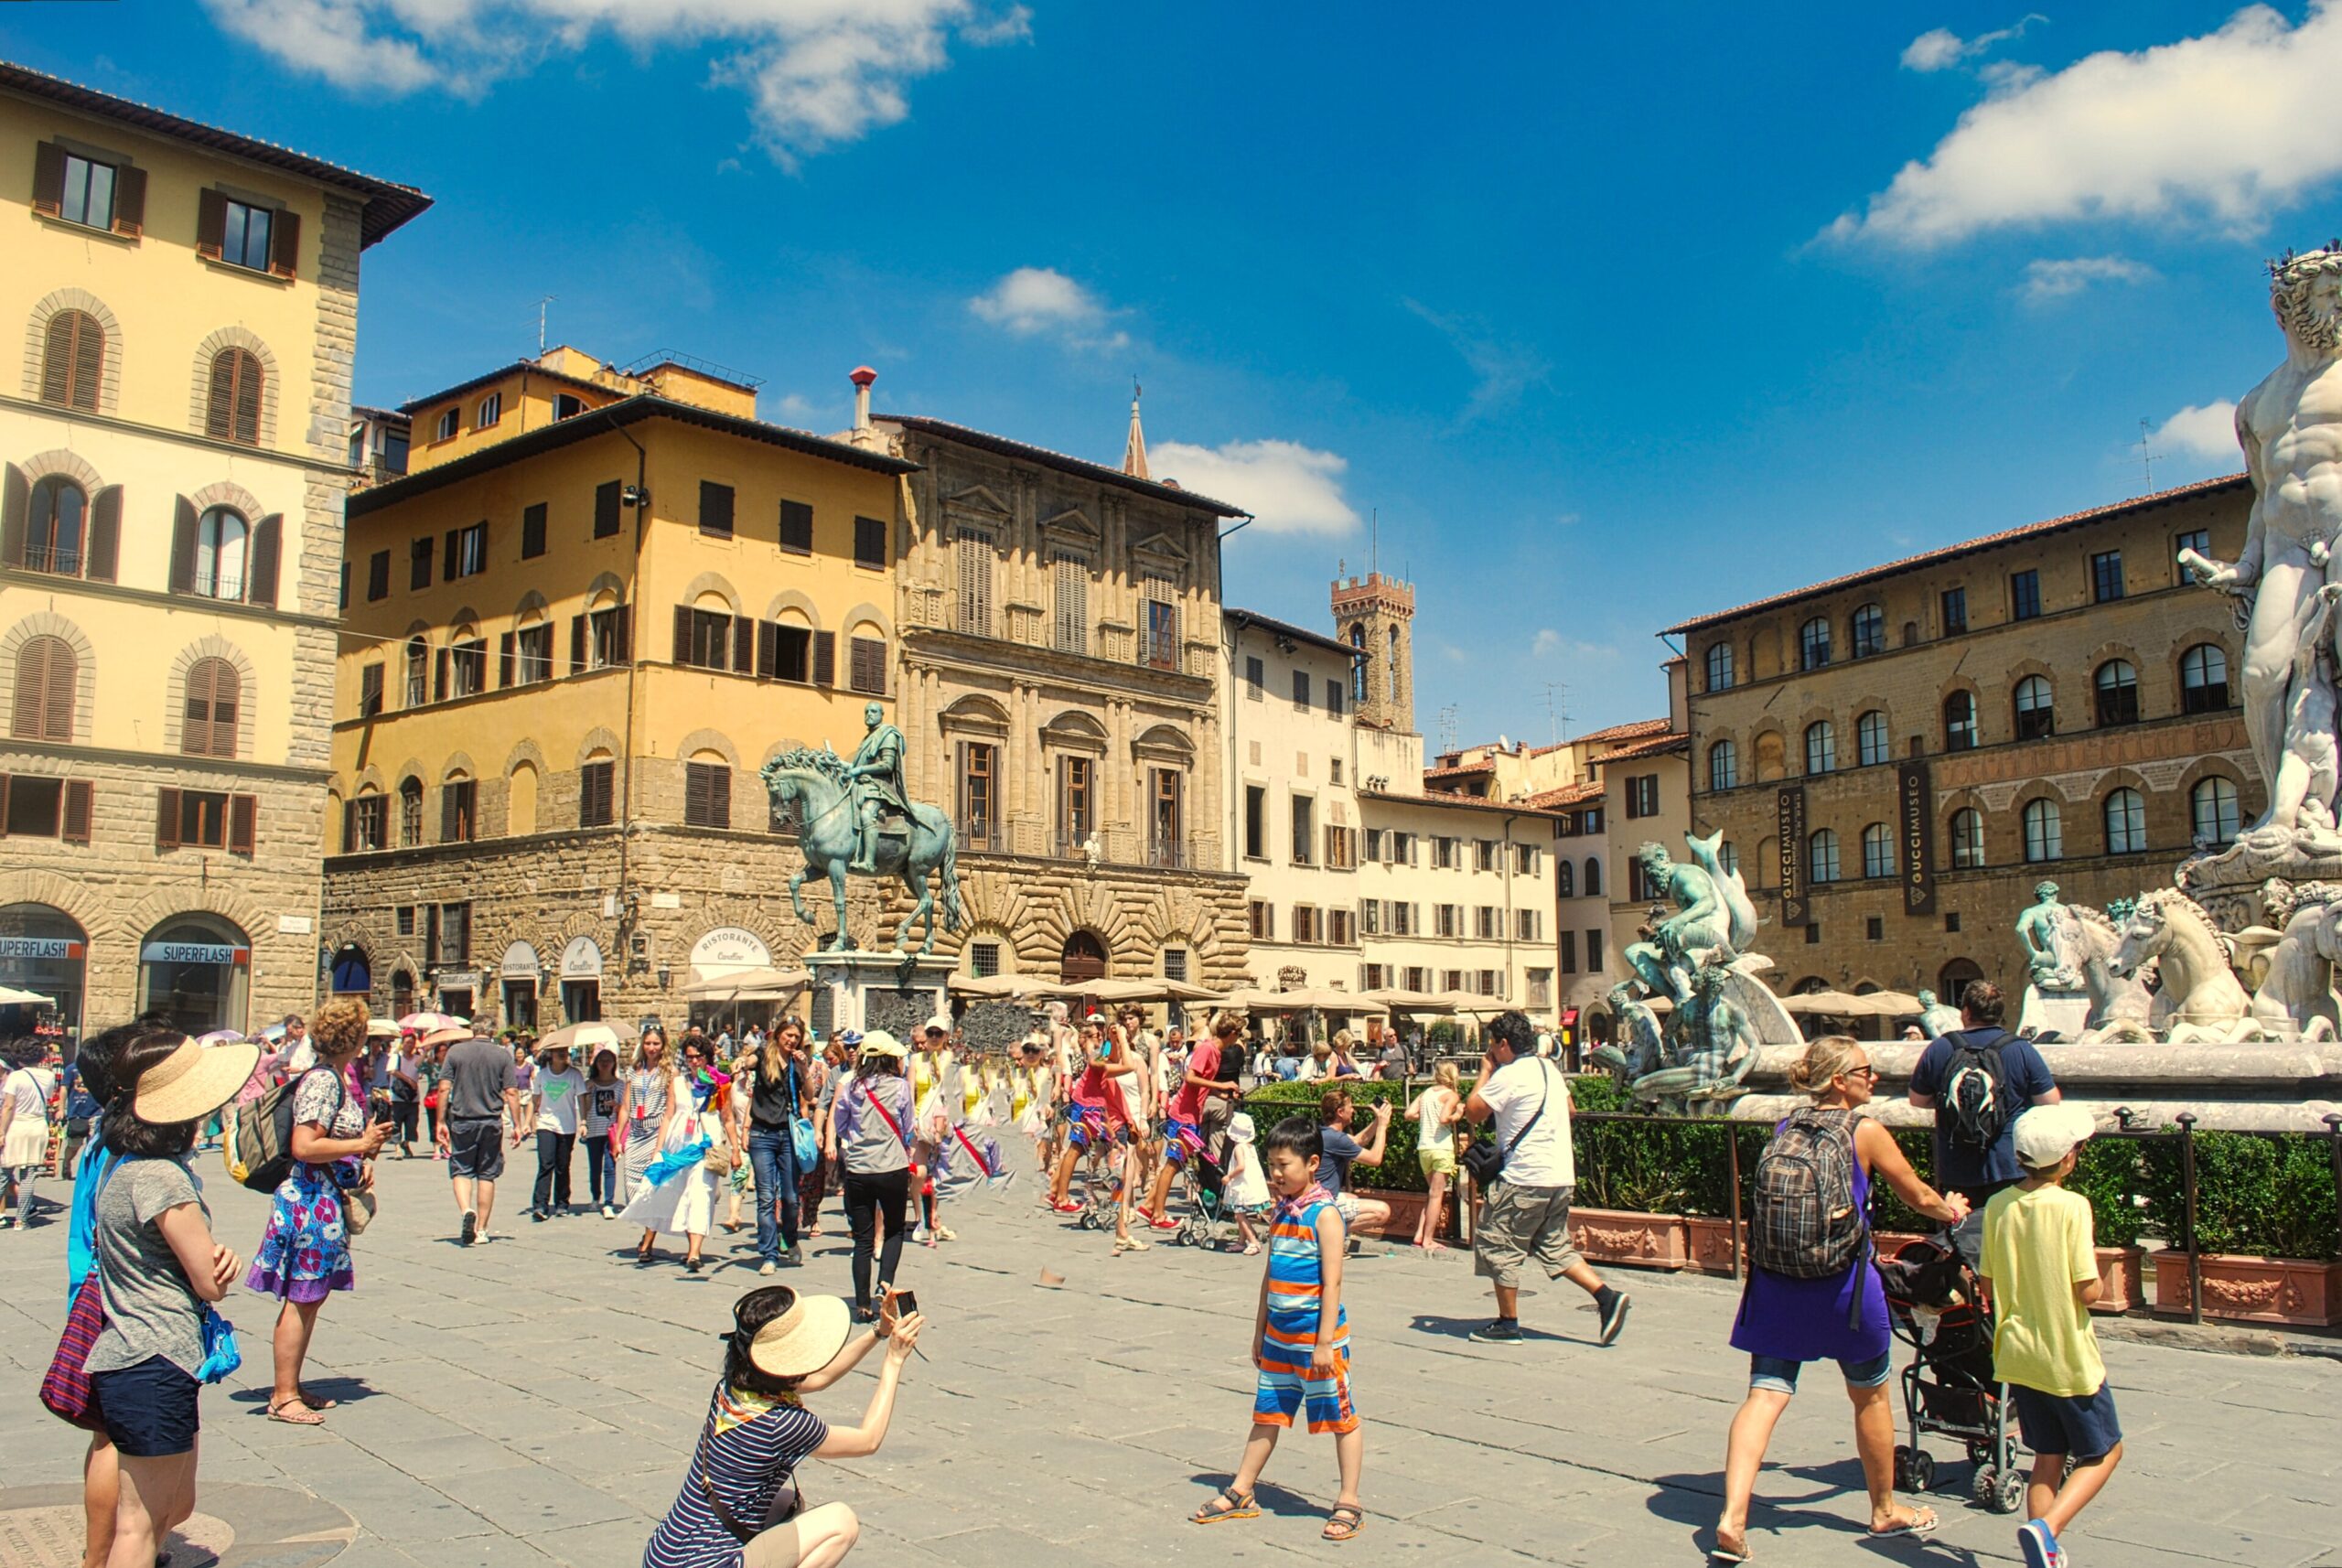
x,y
739,1506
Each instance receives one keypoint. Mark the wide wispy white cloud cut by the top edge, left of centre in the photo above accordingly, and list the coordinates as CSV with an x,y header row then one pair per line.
x,y
819,71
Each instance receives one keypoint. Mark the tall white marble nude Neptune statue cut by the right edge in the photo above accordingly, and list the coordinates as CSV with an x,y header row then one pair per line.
x,y
2292,434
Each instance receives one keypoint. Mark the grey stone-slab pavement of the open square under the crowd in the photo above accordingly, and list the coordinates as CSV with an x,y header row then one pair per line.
x,y
535,1401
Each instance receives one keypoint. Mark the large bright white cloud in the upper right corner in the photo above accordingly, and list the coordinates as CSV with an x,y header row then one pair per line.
x,y
2228,128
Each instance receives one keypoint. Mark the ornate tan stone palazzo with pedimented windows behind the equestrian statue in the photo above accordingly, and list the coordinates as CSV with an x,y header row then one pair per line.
x,y
1060,692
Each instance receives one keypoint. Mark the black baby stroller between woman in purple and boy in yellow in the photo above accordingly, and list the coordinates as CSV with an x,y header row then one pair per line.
x,y
1950,1387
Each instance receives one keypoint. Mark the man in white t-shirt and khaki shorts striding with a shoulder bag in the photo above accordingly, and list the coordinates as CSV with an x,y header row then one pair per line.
x,y
1528,1206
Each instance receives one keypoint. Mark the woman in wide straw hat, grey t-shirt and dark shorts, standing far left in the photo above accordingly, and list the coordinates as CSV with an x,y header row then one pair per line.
x,y
158,1265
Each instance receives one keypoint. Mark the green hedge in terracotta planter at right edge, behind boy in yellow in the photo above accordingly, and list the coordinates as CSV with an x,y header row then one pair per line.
x,y
2266,1230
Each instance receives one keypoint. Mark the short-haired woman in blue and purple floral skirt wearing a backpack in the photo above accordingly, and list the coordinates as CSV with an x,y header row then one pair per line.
x,y
306,1251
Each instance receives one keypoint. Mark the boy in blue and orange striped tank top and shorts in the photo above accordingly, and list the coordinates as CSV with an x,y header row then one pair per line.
x,y
1301,1333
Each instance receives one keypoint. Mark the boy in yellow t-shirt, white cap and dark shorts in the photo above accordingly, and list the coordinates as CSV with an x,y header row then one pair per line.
x,y
2043,1272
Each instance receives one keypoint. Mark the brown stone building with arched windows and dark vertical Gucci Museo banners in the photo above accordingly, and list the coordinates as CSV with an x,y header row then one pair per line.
x,y
1903,755
